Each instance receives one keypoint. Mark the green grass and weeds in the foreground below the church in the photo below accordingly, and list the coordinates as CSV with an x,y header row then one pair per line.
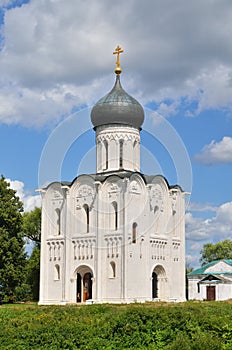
x,y
190,325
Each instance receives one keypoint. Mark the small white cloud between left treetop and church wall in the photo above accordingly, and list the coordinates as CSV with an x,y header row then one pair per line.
x,y
29,201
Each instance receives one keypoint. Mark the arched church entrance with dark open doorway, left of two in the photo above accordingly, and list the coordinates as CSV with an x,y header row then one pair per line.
x,y
84,284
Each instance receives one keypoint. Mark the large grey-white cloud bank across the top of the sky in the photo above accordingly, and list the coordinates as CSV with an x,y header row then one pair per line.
x,y
56,55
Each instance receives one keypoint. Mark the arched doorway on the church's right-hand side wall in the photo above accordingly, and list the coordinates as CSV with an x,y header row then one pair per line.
x,y
159,283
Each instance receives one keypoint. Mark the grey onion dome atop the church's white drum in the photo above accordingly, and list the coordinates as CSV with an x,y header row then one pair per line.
x,y
117,107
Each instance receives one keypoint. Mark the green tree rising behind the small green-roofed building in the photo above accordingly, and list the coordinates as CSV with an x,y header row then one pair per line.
x,y
218,251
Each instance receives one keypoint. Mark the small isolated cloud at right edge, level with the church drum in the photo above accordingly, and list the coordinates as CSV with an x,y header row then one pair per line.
x,y
216,152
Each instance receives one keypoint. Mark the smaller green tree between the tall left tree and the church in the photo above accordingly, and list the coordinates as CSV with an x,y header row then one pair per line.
x,y
32,225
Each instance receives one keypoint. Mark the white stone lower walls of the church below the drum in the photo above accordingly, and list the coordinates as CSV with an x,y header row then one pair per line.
x,y
158,245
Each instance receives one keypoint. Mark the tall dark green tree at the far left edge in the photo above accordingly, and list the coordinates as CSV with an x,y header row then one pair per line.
x,y
12,256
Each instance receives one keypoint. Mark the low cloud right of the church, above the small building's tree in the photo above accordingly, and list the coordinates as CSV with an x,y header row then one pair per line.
x,y
211,230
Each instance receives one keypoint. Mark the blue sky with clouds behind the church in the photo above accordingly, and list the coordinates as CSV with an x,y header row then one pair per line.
x,y
56,61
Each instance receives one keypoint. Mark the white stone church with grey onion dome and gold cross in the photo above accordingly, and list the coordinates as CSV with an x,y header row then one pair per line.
x,y
116,236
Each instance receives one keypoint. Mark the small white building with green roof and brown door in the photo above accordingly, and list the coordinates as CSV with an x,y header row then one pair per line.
x,y
212,281
